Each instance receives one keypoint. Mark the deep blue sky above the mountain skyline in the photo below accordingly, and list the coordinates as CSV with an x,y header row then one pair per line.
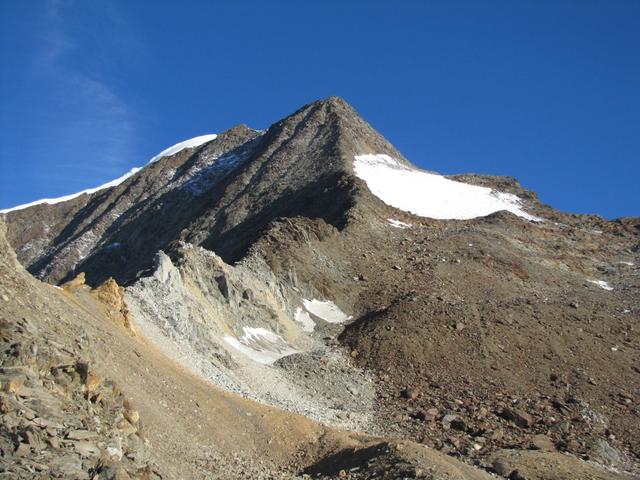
x,y
545,91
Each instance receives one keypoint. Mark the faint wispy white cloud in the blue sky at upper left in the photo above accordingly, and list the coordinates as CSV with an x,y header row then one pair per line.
x,y
86,127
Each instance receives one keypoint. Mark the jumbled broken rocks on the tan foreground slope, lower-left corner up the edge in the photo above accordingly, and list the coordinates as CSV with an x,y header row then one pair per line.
x,y
60,418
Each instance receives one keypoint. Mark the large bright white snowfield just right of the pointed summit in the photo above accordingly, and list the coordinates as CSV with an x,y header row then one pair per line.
x,y
430,195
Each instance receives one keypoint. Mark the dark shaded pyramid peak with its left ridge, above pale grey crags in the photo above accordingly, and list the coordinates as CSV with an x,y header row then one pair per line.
x,y
219,195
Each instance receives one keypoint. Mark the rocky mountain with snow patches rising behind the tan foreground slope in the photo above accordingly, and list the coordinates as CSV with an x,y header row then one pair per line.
x,y
312,268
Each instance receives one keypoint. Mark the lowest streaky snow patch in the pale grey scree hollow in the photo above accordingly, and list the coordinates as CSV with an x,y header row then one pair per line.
x,y
261,345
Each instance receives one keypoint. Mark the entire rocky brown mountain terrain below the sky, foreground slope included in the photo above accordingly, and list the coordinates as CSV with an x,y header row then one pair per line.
x,y
304,302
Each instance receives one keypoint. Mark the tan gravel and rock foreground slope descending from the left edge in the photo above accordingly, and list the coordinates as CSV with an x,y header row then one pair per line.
x,y
84,397
